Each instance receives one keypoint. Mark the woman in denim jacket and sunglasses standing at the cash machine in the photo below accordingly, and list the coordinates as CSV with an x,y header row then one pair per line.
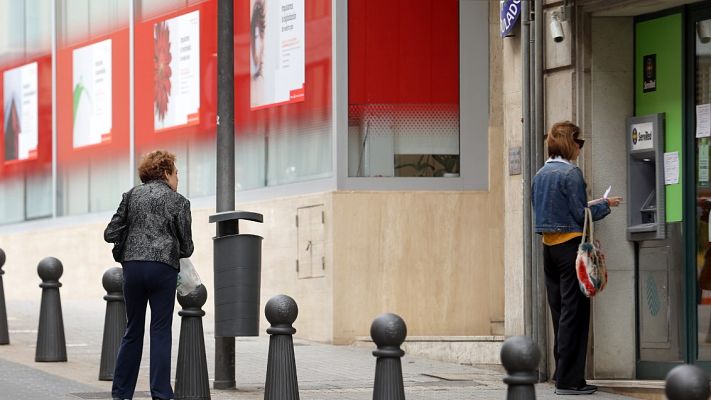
x,y
559,201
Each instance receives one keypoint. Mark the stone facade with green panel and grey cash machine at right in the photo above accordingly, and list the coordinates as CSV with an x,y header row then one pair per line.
x,y
629,73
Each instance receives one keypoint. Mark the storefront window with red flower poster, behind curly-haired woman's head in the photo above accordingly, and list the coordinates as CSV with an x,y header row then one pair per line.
x,y
175,86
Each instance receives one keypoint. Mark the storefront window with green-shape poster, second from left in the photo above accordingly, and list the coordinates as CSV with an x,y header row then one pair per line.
x,y
92,105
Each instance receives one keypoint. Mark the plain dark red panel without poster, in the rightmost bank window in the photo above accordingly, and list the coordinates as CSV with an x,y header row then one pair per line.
x,y
403,51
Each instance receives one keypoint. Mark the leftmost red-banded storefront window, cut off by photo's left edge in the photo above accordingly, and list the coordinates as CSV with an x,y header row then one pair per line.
x,y
26,113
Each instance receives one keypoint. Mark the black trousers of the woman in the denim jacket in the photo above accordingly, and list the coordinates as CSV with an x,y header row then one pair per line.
x,y
570,310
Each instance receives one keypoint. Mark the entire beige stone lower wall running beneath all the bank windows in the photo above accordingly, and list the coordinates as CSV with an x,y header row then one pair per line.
x,y
435,258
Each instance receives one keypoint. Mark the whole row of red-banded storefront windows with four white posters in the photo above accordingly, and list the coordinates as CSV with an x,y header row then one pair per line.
x,y
283,122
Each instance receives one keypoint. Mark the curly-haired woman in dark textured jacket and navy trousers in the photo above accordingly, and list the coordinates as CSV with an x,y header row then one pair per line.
x,y
153,221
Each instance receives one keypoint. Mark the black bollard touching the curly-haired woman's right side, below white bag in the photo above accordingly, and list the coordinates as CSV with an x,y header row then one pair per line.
x,y
191,380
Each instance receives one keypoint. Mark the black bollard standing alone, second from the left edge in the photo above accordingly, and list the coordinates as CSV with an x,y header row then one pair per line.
x,y
51,345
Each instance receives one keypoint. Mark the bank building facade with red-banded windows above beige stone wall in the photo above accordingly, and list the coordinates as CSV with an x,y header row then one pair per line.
x,y
370,135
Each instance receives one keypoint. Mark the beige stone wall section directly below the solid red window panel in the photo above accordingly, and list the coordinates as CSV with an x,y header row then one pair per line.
x,y
434,258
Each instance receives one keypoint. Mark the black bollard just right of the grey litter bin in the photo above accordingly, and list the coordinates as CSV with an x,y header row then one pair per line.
x,y
281,384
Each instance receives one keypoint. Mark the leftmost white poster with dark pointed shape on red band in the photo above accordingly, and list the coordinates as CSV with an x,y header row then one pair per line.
x,y
20,106
